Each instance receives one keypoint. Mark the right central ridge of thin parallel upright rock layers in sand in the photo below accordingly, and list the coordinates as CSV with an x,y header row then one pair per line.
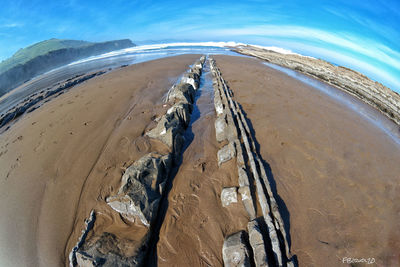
x,y
249,164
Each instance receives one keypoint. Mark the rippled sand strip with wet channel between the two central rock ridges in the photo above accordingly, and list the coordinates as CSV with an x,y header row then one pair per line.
x,y
196,223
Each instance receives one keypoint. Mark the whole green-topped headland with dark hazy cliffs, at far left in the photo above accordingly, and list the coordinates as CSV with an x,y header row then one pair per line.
x,y
44,56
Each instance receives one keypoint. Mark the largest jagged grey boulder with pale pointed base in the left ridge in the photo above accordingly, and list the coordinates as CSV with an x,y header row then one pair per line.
x,y
140,192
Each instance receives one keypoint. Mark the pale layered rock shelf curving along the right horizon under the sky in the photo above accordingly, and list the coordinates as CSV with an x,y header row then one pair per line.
x,y
369,91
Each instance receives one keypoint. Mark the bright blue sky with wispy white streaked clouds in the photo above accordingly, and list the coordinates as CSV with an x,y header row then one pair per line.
x,y
360,34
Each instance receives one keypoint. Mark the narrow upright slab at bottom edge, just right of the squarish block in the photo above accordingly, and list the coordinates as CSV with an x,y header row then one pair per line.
x,y
257,244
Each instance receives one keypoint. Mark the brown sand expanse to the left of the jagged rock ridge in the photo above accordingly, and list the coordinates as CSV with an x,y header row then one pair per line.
x,y
52,153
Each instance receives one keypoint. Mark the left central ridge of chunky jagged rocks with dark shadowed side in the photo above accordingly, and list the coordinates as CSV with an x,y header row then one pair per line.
x,y
142,184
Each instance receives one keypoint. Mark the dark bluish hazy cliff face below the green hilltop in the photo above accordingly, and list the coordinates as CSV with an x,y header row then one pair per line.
x,y
17,75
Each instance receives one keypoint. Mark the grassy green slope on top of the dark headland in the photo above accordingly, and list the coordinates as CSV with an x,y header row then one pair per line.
x,y
25,54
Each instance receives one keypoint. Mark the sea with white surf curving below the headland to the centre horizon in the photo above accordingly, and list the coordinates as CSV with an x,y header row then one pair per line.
x,y
110,60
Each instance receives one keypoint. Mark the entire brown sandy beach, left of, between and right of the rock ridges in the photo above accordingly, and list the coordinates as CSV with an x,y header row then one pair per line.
x,y
336,174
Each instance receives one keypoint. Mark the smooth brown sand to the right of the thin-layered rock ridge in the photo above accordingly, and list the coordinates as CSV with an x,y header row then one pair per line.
x,y
337,174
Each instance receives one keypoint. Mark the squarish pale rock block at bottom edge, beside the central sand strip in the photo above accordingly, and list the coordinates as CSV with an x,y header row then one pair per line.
x,y
235,250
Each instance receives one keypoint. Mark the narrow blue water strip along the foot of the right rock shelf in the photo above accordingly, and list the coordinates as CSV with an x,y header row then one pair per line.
x,y
364,110
